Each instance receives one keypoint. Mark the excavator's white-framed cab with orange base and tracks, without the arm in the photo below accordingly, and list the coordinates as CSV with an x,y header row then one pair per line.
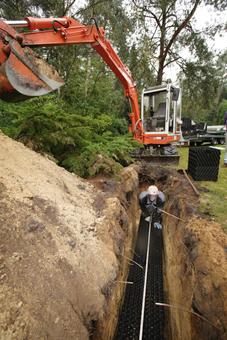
x,y
161,122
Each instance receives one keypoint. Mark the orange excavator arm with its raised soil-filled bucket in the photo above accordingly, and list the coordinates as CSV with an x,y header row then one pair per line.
x,y
23,74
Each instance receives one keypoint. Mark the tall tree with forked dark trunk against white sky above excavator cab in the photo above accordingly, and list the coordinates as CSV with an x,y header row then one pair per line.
x,y
170,26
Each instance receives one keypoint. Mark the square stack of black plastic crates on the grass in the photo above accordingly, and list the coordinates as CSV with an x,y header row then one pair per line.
x,y
203,163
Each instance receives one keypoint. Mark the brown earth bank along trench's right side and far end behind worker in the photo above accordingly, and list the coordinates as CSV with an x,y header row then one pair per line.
x,y
195,262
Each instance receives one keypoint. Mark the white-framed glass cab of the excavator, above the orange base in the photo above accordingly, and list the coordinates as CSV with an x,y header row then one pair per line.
x,y
159,110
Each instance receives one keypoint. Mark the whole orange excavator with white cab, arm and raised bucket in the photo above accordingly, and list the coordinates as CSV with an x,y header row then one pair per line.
x,y
23,74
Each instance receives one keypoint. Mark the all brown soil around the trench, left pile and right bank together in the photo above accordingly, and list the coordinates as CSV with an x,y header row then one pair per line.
x,y
65,244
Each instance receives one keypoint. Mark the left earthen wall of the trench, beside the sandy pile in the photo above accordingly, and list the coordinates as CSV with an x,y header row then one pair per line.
x,y
122,222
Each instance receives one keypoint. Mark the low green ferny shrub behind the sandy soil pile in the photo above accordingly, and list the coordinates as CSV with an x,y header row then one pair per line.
x,y
83,144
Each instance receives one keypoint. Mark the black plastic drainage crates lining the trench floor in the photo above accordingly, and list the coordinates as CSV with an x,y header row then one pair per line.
x,y
129,323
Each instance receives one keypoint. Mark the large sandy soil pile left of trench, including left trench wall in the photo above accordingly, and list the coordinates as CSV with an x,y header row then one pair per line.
x,y
61,248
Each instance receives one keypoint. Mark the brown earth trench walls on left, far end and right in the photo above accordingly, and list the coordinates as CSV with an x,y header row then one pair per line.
x,y
195,254
